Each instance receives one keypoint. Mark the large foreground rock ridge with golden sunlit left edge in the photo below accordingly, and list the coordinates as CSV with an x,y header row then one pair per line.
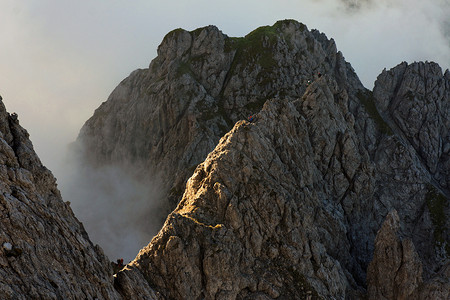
x,y
288,206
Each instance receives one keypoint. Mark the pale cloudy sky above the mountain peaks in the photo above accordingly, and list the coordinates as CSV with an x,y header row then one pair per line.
x,y
60,59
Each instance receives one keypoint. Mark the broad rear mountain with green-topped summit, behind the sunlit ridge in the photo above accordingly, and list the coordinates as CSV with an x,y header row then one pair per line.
x,y
200,84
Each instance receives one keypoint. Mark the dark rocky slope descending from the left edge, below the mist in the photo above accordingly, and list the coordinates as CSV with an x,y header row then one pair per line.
x,y
45,252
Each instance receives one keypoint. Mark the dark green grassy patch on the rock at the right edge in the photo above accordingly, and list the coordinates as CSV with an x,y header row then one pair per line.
x,y
437,203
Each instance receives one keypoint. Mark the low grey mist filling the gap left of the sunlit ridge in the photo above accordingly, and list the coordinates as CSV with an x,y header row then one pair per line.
x,y
119,211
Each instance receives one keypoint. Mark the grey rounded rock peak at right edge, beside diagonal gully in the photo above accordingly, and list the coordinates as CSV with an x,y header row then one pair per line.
x,y
415,100
